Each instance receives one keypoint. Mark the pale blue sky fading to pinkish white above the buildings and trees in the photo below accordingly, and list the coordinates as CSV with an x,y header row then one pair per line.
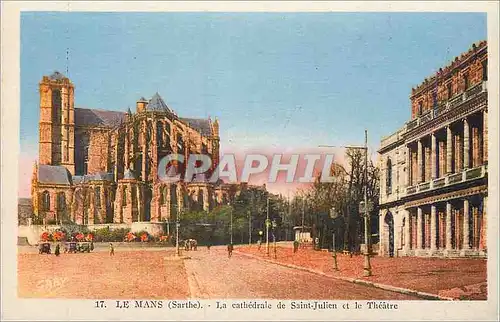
x,y
274,80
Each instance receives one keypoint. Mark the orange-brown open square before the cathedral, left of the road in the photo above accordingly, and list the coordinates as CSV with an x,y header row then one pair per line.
x,y
97,275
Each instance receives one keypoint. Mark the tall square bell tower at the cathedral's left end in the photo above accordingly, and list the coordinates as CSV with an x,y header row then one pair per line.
x,y
57,122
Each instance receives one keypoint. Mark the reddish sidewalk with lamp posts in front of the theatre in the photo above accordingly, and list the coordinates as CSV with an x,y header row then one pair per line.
x,y
448,278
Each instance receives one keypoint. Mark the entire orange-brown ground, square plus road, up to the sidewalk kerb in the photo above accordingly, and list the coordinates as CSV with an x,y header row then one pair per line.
x,y
207,274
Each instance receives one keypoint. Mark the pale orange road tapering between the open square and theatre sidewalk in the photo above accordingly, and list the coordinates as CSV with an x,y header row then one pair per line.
x,y
212,275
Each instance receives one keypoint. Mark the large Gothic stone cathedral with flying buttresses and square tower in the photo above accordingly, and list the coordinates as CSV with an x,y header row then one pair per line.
x,y
100,166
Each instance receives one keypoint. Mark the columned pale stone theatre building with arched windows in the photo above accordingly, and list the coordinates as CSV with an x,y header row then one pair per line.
x,y
434,169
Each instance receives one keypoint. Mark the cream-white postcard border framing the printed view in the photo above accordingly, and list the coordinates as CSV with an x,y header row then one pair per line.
x,y
35,309
